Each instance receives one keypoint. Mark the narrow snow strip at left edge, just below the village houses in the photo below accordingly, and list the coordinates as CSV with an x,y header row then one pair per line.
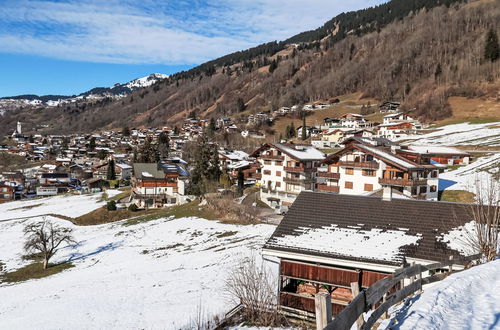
x,y
67,205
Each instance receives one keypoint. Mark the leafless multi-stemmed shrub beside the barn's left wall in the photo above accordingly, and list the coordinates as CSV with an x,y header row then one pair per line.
x,y
253,285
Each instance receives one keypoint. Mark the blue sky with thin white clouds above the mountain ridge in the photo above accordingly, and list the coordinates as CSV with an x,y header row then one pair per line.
x,y
69,46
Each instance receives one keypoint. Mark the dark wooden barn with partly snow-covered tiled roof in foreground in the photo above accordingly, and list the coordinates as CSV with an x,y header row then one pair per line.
x,y
330,242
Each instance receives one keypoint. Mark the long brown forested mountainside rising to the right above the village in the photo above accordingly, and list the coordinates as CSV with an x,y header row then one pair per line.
x,y
417,52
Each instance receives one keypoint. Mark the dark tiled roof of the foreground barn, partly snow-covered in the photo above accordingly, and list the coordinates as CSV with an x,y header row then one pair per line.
x,y
368,229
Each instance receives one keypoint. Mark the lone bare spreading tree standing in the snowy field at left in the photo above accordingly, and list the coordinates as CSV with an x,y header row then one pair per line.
x,y
45,238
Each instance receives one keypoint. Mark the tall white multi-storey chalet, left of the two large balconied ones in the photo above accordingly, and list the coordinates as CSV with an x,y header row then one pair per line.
x,y
286,170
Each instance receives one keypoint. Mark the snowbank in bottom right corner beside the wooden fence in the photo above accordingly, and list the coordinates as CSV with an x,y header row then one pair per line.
x,y
466,300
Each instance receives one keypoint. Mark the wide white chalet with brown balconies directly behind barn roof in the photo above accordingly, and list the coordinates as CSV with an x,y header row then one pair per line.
x,y
365,166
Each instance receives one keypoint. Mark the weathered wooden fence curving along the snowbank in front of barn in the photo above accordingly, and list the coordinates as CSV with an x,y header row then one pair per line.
x,y
379,295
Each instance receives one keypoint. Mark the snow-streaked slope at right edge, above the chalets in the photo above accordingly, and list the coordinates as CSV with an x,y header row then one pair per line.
x,y
462,134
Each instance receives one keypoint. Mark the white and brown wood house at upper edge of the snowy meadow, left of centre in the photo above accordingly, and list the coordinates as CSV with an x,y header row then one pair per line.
x,y
159,184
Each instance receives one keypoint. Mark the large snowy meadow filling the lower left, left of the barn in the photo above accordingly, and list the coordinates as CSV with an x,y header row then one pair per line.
x,y
153,275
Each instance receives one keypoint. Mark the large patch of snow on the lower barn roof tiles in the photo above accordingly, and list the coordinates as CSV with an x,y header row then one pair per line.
x,y
369,244
